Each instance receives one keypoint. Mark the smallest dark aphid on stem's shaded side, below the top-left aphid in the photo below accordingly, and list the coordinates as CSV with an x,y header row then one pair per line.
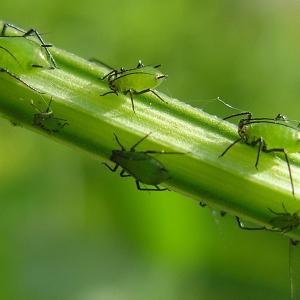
x,y
46,119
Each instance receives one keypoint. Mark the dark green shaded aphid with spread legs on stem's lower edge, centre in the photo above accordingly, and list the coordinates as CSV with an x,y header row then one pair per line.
x,y
140,165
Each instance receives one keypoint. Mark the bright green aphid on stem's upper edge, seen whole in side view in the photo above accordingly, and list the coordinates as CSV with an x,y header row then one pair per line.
x,y
136,81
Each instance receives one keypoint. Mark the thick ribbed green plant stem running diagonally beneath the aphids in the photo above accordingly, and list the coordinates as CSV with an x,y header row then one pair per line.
x,y
230,183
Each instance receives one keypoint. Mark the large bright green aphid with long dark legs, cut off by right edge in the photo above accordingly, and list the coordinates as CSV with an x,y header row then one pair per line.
x,y
271,135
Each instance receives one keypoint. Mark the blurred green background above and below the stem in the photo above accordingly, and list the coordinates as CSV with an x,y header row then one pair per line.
x,y
69,229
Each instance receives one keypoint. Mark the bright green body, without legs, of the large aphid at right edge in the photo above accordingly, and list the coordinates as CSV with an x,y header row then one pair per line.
x,y
274,135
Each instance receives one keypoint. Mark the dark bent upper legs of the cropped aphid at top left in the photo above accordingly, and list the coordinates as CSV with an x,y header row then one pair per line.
x,y
25,34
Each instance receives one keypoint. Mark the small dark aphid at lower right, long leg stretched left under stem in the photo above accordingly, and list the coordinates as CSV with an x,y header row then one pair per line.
x,y
282,222
